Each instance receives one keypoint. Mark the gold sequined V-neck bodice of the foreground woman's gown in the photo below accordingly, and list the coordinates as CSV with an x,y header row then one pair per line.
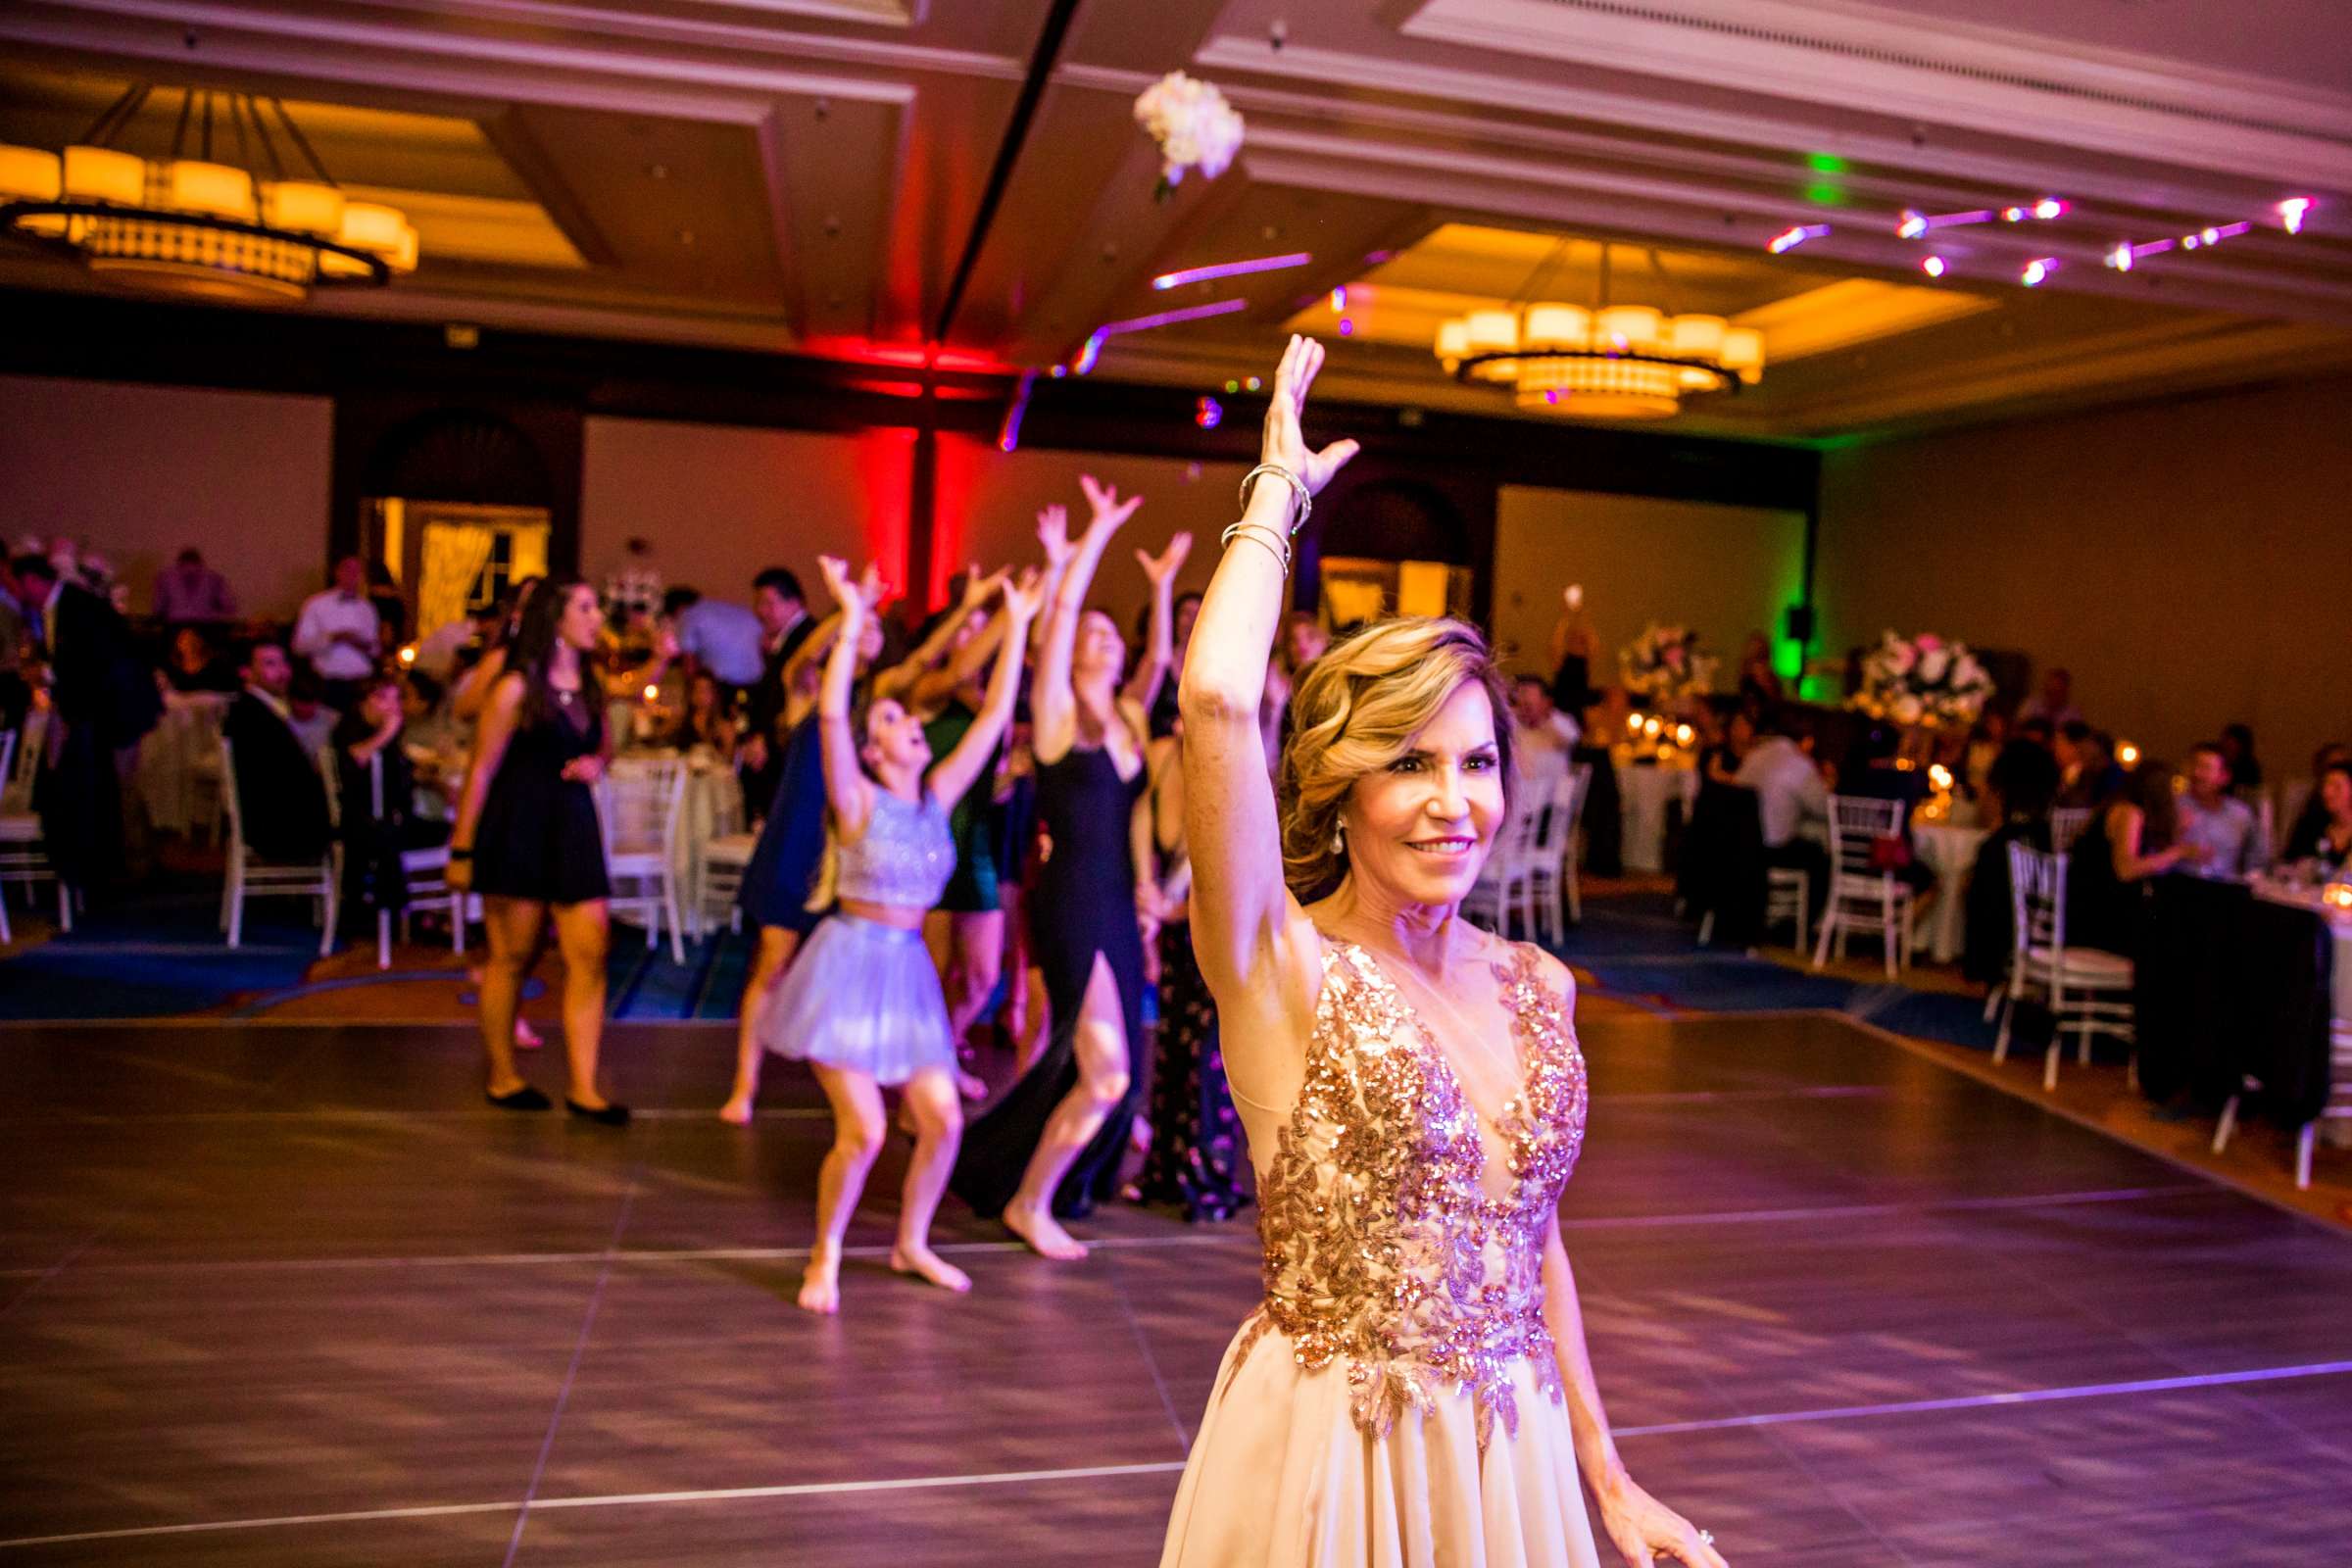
x,y
1384,1247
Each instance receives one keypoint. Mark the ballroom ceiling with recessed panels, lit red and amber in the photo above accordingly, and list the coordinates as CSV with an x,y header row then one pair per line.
x,y
817,177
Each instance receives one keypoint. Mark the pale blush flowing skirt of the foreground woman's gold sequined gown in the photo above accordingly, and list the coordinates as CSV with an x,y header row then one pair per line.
x,y
1283,1477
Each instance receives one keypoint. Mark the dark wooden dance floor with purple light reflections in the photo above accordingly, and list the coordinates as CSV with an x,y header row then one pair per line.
x,y
298,1296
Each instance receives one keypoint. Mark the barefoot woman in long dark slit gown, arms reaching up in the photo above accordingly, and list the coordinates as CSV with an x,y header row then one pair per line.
x,y
1053,1146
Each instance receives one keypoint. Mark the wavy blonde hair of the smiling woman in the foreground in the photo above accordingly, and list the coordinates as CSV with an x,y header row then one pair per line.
x,y
1356,713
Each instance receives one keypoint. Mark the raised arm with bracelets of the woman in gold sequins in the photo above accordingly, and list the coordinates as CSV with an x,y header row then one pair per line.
x,y
1255,944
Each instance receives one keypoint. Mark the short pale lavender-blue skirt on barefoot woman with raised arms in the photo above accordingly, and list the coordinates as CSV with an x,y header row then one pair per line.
x,y
864,998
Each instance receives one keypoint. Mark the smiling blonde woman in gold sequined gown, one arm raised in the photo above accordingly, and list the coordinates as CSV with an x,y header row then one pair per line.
x,y
1415,1388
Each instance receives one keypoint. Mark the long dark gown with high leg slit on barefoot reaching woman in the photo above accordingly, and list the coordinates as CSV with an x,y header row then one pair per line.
x,y
1081,906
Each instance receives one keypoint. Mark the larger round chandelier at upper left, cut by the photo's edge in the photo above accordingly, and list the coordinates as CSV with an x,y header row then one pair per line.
x,y
239,232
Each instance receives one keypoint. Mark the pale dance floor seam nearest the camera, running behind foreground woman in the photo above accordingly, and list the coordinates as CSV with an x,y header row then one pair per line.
x,y
1161,1468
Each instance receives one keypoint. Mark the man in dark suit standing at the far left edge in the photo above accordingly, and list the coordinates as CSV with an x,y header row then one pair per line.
x,y
102,702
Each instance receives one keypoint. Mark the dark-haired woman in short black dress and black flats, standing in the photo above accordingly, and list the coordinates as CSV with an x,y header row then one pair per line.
x,y
528,840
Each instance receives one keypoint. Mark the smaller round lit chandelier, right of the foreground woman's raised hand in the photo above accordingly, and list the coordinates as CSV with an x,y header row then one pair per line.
x,y
1603,363
